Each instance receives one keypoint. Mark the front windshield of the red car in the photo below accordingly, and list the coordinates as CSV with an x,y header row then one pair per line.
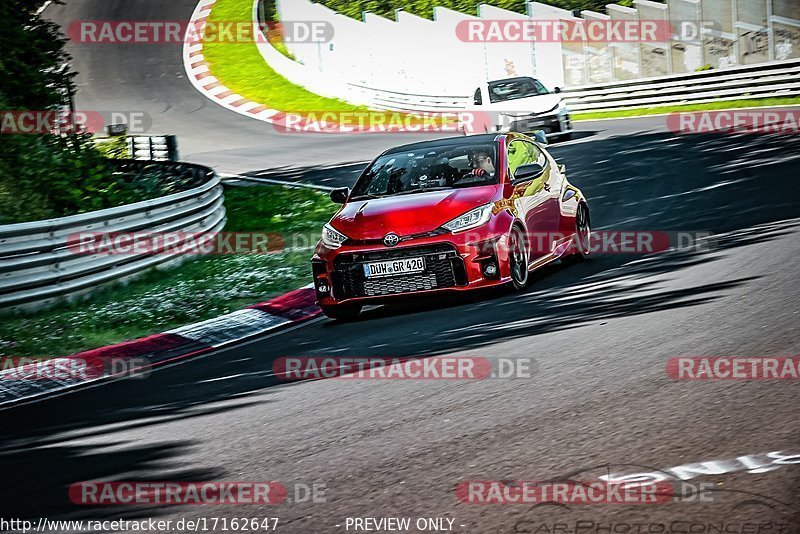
x,y
426,169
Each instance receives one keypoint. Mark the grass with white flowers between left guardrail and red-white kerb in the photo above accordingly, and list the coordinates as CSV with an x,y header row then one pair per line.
x,y
201,289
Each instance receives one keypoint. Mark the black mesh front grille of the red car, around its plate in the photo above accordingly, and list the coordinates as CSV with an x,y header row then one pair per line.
x,y
443,268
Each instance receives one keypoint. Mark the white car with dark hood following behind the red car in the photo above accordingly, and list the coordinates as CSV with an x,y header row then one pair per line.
x,y
524,105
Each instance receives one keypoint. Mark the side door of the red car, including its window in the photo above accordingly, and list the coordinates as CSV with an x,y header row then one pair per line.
x,y
535,200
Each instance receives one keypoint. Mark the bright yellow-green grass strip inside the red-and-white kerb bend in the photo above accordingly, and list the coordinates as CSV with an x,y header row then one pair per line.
x,y
241,68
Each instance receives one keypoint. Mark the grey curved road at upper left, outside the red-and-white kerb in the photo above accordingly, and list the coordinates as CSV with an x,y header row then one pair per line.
x,y
150,78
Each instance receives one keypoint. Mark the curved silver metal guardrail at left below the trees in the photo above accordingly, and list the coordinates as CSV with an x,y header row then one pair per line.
x,y
38,269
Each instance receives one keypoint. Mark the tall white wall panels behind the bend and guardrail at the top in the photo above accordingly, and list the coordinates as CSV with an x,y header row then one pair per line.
x,y
369,59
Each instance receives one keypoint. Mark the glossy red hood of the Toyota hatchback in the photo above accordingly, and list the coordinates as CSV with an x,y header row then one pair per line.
x,y
408,214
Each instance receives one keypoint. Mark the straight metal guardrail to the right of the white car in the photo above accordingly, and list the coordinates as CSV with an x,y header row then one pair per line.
x,y
763,80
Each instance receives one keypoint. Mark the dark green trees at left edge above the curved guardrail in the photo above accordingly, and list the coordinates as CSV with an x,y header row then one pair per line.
x,y
41,175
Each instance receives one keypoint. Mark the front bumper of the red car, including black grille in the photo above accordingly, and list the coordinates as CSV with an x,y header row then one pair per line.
x,y
455,262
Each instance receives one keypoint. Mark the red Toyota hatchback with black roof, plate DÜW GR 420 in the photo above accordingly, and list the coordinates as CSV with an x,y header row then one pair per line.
x,y
448,215
